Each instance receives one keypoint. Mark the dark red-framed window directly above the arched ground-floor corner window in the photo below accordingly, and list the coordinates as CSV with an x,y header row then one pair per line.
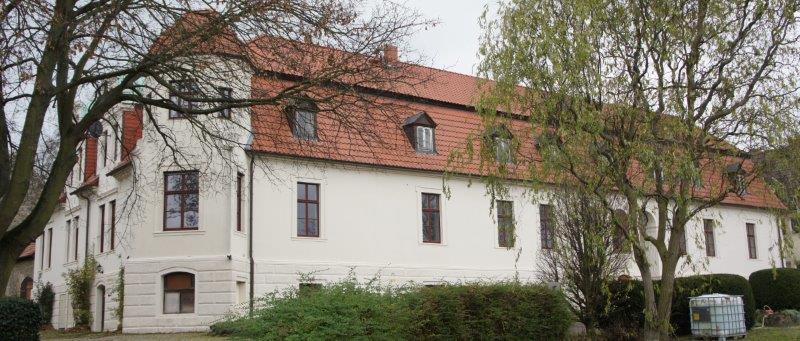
x,y
181,201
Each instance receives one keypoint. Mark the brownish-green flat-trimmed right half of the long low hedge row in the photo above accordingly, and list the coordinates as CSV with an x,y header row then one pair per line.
x,y
496,311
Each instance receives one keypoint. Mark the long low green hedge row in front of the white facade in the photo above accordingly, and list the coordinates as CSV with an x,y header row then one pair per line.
x,y
349,311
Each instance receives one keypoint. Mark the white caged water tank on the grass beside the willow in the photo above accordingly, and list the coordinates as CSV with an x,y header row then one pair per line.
x,y
717,315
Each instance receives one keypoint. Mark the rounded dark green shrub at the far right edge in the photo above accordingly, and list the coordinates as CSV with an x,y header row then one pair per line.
x,y
777,288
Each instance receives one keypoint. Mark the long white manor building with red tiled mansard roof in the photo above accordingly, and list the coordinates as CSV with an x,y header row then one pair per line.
x,y
305,199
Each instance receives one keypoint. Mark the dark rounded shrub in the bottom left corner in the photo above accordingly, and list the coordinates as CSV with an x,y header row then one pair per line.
x,y
20,319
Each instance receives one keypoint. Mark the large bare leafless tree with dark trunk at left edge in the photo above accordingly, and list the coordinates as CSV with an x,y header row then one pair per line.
x,y
66,63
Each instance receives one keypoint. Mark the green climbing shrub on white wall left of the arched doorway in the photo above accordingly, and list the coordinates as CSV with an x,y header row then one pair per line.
x,y
79,287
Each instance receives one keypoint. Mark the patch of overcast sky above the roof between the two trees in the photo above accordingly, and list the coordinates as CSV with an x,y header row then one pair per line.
x,y
453,43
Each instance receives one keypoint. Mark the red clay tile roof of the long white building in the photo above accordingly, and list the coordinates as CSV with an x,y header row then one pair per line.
x,y
375,137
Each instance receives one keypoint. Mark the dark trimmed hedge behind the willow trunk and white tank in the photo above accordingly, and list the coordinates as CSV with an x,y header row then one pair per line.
x,y
626,314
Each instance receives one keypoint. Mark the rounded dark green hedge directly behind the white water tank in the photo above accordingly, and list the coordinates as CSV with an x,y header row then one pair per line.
x,y
692,286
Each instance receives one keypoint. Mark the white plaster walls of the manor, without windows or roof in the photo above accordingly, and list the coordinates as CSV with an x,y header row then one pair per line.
x,y
369,220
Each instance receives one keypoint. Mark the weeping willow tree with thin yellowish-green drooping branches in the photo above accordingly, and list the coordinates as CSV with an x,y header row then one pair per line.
x,y
650,104
